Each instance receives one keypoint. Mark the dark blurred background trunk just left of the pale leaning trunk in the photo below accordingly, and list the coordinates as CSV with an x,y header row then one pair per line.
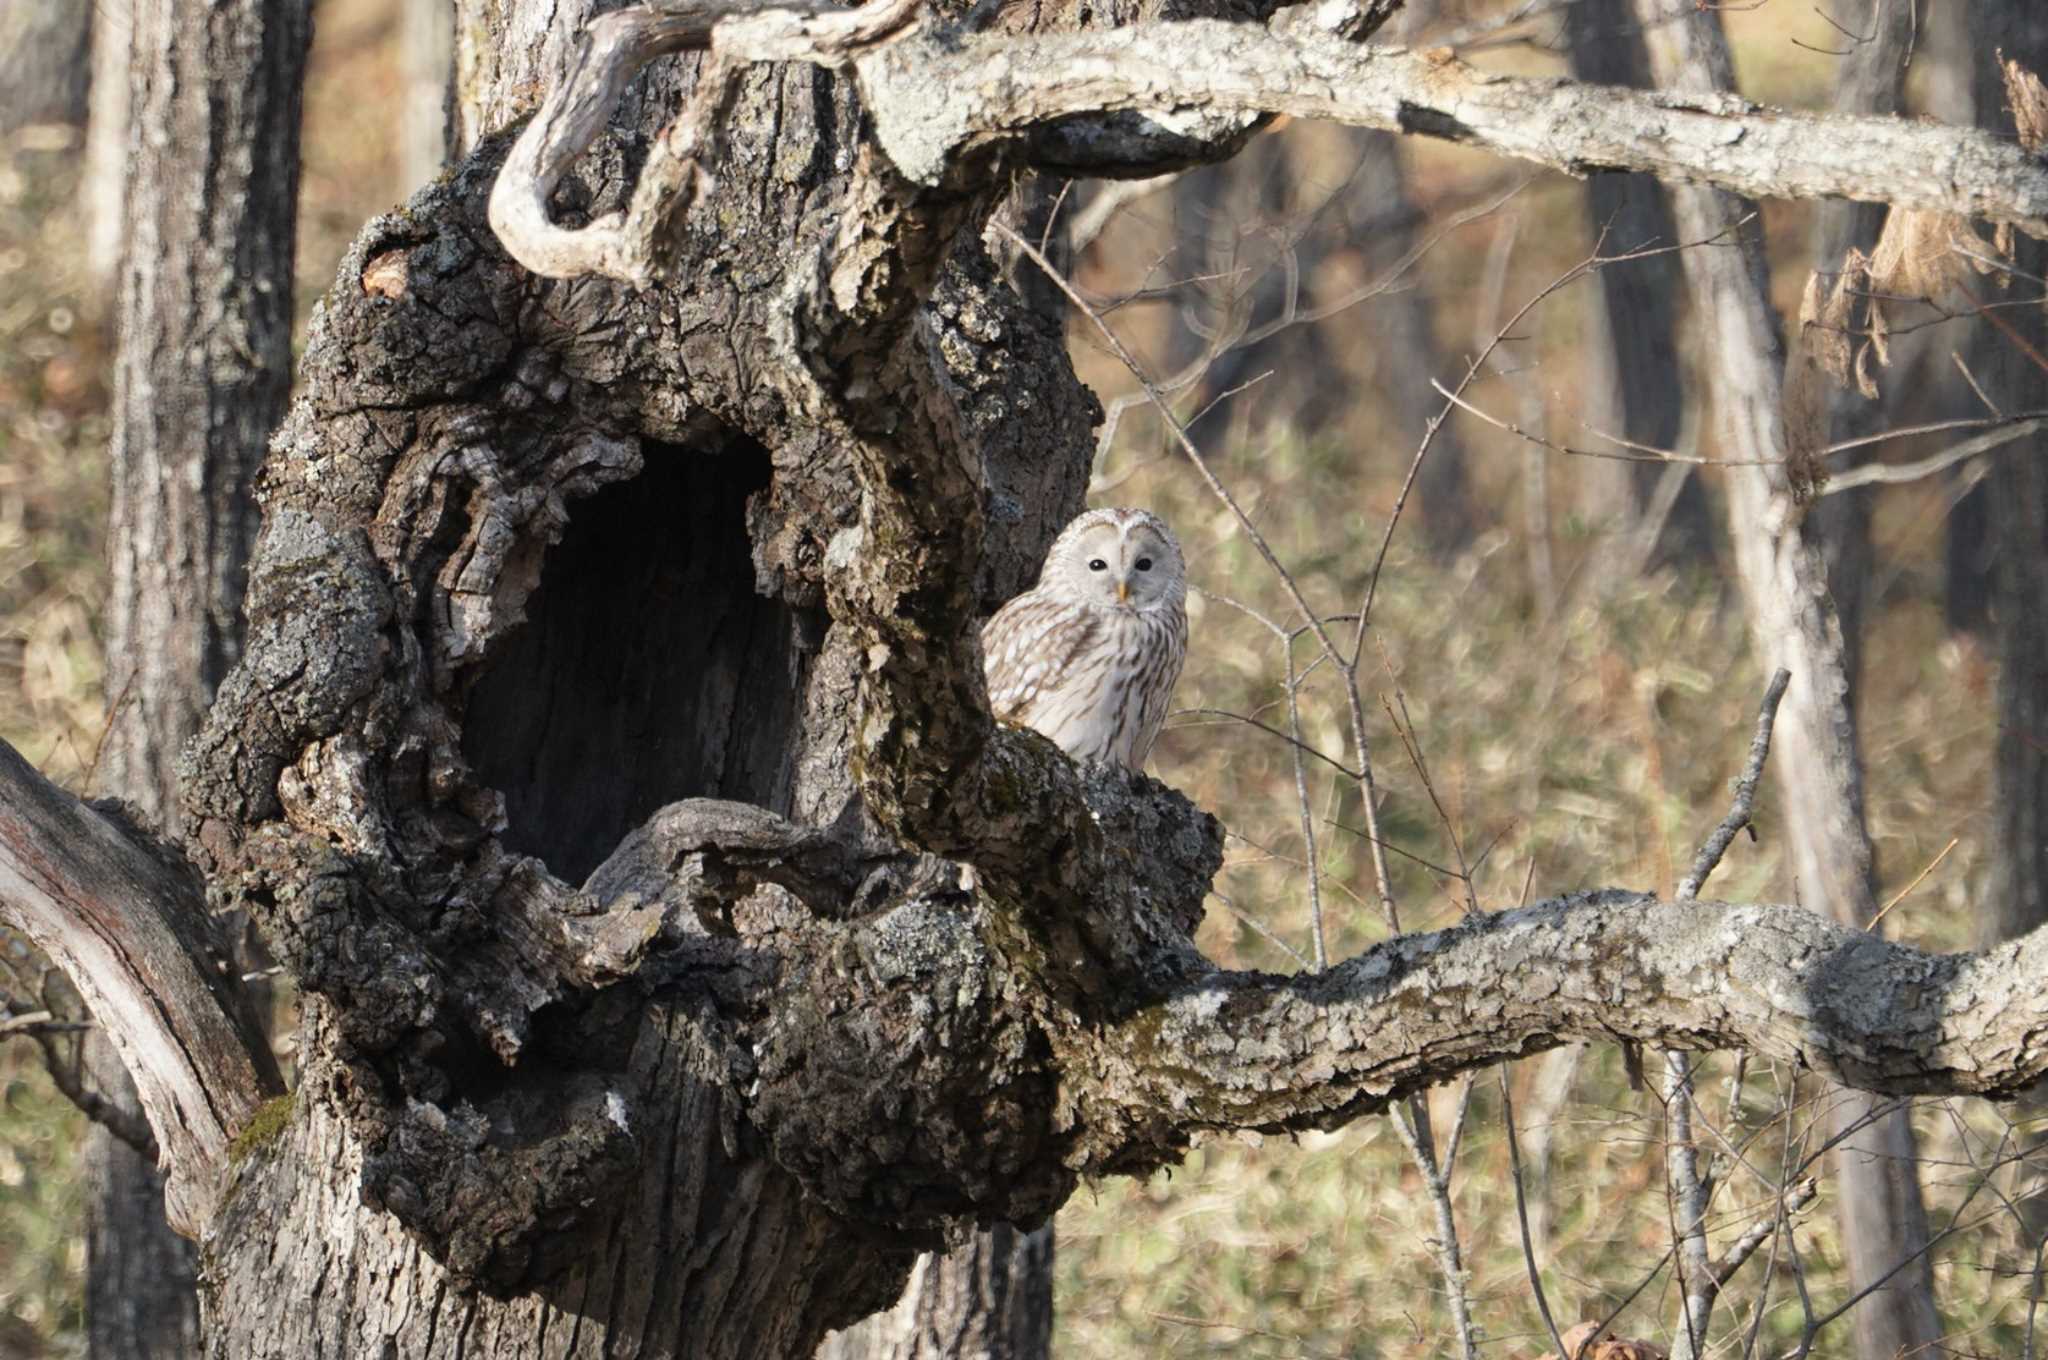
x,y
1633,376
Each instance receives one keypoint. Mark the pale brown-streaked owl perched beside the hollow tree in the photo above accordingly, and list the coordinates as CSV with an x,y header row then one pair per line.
x,y
1091,654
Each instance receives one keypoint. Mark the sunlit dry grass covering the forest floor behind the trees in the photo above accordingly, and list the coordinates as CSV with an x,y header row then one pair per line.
x,y
1584,742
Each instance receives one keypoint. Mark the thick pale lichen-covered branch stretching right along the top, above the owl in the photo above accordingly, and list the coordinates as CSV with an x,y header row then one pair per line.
x,y
935,101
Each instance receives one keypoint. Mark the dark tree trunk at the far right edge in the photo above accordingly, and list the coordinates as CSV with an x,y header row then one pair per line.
x,y
2018,509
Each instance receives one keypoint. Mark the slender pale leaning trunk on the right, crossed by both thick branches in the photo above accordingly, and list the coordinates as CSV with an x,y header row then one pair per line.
x,y
1818,763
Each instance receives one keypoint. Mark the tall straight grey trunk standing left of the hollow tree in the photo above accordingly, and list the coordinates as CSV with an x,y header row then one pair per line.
x,y
200,384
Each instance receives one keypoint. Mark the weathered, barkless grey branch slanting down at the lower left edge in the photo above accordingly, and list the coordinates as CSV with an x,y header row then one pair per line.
x,y
130,929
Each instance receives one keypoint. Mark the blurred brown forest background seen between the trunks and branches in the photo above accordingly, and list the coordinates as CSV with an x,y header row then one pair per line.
x,y
1558,644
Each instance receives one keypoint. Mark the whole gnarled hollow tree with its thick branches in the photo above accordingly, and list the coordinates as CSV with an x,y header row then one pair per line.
x,y
609,732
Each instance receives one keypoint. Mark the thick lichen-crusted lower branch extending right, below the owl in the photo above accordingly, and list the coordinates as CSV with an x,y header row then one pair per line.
x,y
1318,1050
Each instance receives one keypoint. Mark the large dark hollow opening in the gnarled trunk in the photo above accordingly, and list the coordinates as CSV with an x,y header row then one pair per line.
x,y
648,669
